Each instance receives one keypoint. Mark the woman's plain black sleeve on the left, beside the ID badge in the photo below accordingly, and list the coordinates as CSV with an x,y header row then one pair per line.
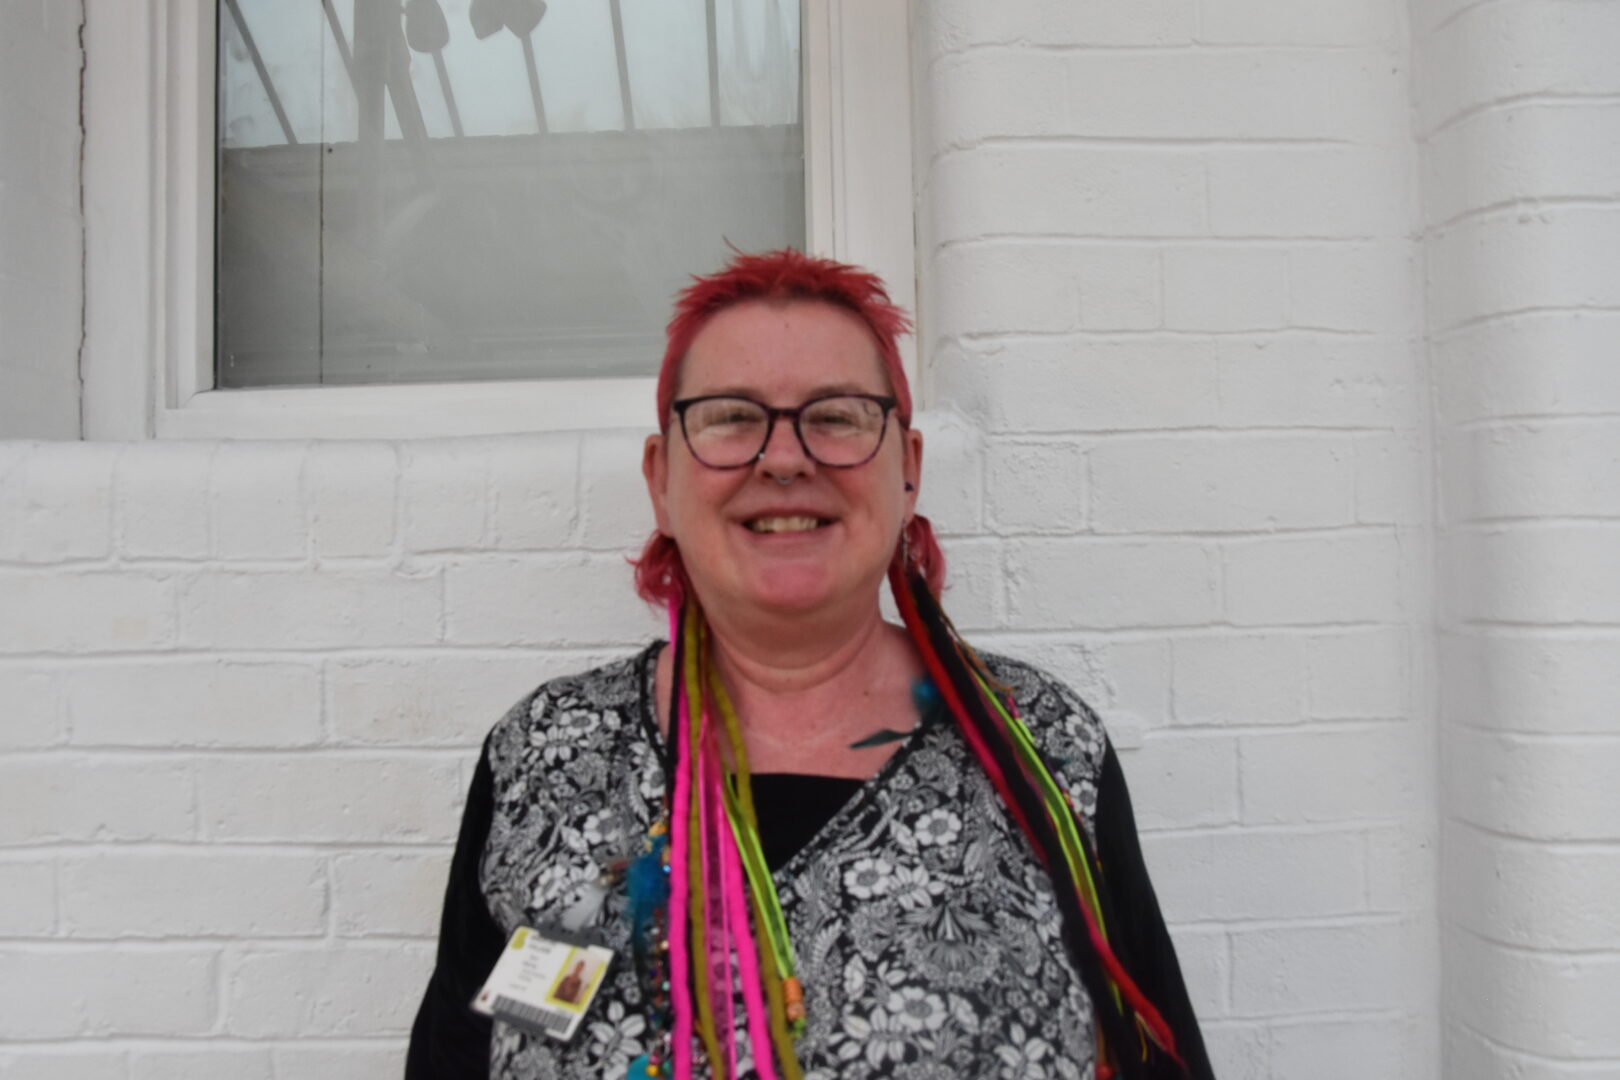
x,y
451,1042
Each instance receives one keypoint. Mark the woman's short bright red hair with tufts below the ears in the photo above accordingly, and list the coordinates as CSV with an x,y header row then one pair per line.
x,y
660,576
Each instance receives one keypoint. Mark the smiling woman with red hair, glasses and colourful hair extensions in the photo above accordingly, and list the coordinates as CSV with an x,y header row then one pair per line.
x,y
821,844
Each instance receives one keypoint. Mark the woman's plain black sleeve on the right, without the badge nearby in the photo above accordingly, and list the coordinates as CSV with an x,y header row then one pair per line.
x,y
1145,942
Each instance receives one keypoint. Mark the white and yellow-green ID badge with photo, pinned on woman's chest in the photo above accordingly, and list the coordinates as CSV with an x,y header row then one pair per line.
x,y
542,985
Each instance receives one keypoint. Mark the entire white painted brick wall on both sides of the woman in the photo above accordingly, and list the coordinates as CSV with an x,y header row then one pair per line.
x,y
1179,446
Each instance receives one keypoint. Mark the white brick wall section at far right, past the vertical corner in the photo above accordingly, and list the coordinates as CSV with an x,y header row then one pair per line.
x,y
1520,134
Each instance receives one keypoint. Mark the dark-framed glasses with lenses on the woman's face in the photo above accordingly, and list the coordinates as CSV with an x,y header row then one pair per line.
x,y
731,432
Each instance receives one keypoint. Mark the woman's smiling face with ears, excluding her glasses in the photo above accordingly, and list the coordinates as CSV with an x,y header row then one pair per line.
x,y
783,355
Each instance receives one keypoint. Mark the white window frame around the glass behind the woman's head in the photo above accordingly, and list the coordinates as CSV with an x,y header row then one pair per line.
x,y
148,360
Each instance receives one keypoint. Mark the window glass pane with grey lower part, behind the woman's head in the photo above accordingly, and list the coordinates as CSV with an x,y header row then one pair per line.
x,y
403,200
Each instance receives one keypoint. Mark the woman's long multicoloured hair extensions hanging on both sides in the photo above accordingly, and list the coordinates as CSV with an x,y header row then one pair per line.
x,y
715,849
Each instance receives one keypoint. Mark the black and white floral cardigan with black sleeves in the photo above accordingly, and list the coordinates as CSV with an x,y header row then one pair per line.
x,y
927,935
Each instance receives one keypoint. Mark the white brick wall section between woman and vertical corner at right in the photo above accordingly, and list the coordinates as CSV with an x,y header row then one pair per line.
x,y
1169,250
